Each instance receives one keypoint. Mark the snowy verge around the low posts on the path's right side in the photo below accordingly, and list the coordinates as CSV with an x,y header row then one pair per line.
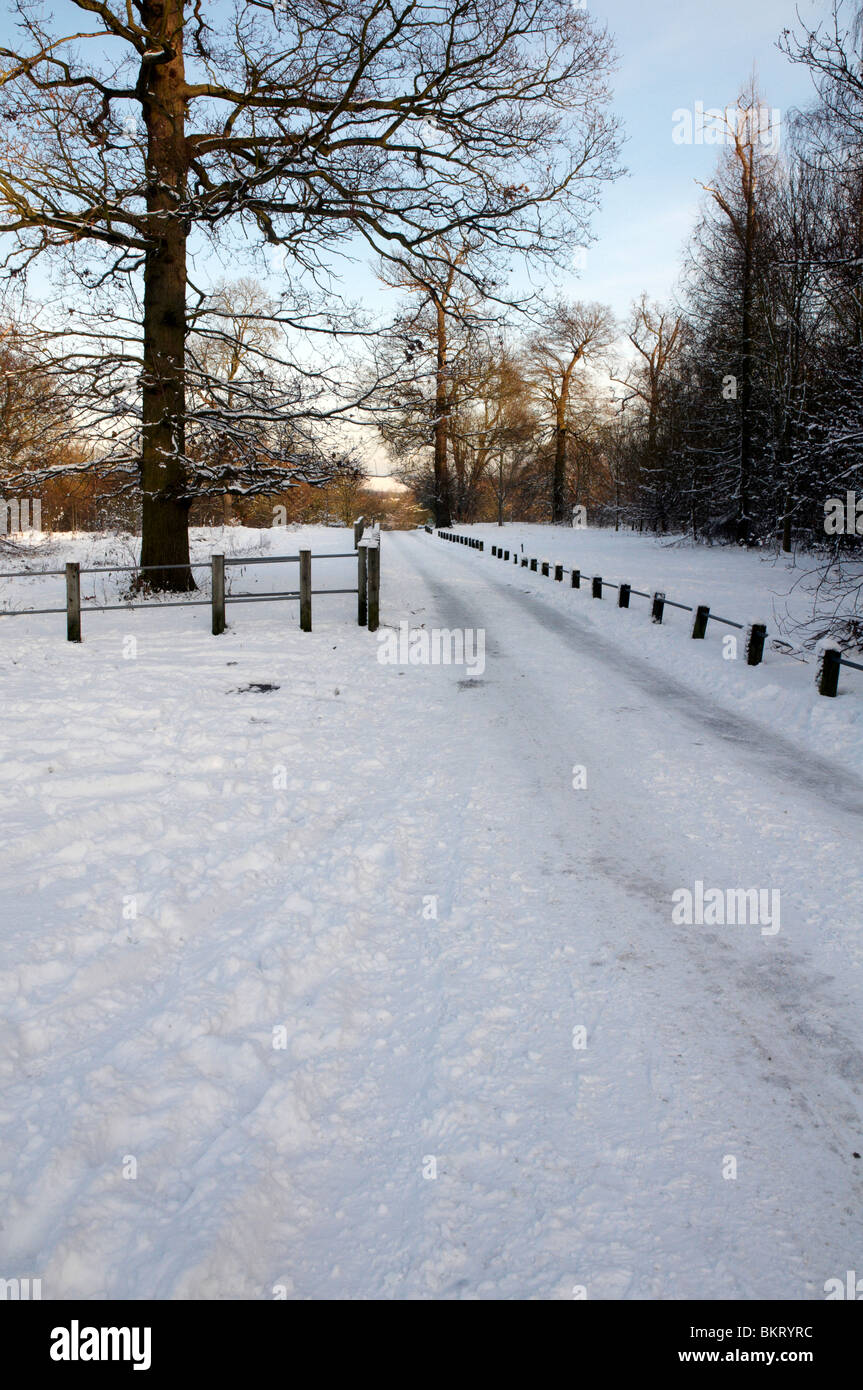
x,y
741,586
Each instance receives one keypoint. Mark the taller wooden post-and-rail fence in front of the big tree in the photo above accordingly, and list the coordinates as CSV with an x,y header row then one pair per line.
x,y
368,587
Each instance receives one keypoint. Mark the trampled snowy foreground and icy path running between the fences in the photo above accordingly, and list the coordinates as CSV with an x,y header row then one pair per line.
x,y
412,1038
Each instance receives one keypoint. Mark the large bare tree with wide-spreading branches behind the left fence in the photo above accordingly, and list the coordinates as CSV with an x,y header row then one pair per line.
x,y
313,127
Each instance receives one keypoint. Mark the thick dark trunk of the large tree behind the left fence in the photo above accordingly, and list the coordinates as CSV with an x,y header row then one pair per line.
x,y
163,471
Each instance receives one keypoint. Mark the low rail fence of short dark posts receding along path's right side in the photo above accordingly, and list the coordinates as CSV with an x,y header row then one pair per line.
x,y
830,660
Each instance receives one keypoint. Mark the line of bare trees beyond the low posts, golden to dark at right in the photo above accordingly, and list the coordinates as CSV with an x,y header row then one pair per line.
x,y
736,414
